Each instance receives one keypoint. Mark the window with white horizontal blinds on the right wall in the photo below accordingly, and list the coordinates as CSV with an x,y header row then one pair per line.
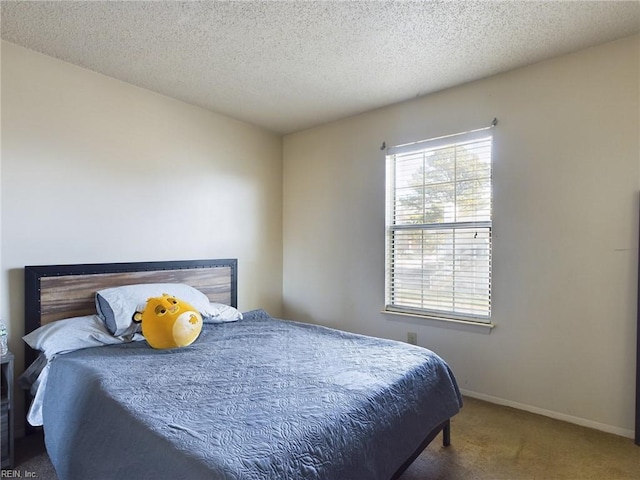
x,y
438,227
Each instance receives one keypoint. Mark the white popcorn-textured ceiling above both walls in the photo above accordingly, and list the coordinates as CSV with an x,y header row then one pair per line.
x,y
287,66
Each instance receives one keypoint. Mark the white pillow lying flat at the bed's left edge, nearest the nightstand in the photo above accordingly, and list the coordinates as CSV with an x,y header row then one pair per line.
x,y
71,334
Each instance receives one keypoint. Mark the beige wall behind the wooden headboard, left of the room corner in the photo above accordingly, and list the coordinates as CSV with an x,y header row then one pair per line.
x,y
97,170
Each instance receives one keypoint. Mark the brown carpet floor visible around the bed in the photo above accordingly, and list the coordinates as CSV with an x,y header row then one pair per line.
x,y
488,442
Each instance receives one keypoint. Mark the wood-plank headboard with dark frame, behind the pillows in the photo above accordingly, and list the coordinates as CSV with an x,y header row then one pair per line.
x,y
54,292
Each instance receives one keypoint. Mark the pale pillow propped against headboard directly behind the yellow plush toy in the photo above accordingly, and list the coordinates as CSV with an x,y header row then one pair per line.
x,y
116,306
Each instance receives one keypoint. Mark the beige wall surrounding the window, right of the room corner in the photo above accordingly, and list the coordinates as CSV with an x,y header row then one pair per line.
x,y
566,182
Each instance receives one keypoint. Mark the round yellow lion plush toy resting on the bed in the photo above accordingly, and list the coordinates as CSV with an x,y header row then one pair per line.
x,y
168,322
